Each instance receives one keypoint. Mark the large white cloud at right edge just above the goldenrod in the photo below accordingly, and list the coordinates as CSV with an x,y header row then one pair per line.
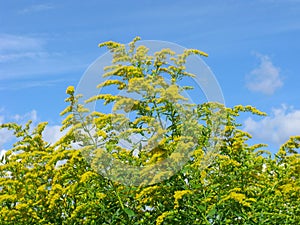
x,y
276,128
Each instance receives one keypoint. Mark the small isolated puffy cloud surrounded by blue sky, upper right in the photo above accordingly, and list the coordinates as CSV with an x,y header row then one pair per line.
x,y
266,78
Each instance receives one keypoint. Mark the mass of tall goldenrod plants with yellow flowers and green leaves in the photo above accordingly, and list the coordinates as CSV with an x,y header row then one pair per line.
x,y
225,180
